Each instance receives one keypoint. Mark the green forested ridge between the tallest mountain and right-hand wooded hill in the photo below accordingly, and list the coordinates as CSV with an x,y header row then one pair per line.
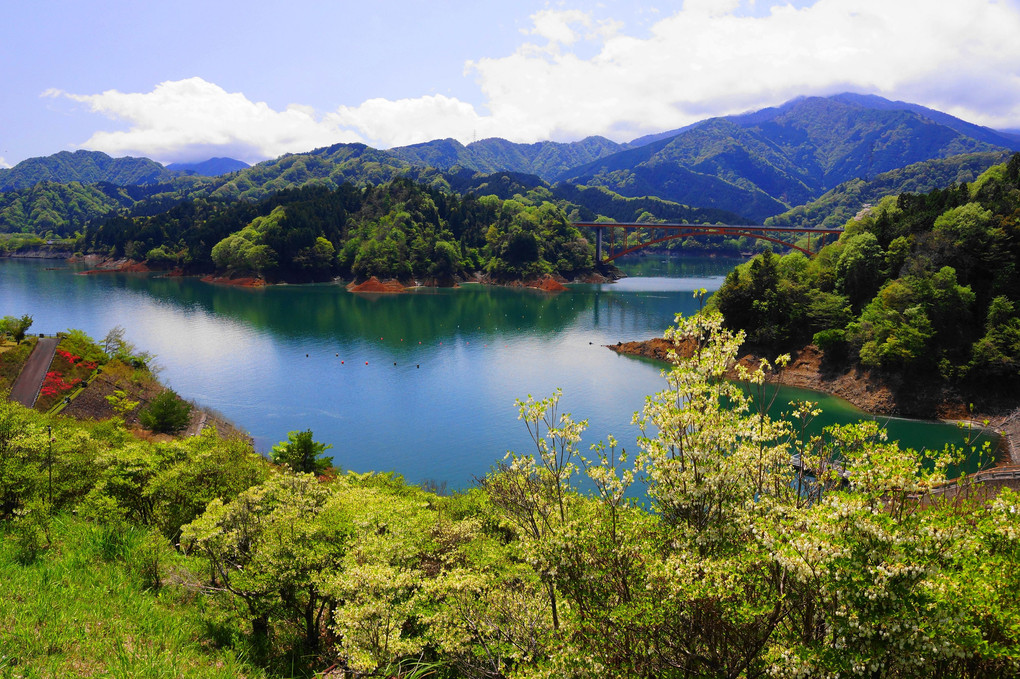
x,y
842,203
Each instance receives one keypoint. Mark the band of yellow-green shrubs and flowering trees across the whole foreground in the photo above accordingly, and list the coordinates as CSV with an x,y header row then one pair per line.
x,y
742,565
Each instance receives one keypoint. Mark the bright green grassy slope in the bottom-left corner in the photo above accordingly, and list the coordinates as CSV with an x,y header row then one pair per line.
x,y
82,609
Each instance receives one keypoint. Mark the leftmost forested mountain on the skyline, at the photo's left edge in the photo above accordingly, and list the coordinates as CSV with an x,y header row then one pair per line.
x,y
84,167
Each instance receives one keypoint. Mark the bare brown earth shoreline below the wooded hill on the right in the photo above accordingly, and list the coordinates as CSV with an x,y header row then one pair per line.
x,y
868,392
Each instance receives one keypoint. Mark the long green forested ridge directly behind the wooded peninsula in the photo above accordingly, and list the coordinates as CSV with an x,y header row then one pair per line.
x,y
63,210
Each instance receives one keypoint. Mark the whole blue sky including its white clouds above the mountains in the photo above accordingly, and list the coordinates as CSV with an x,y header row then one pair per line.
x,y
190,80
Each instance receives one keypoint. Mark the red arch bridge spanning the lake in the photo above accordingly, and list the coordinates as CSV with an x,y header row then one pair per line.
x,y
673,232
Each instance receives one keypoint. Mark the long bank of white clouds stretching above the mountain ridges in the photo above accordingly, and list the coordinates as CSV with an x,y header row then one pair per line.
x,y
576,76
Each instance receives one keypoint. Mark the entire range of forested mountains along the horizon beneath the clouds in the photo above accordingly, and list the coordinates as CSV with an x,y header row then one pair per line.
x,y
756,166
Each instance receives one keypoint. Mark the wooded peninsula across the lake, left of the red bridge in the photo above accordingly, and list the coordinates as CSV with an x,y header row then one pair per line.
x,y
401,230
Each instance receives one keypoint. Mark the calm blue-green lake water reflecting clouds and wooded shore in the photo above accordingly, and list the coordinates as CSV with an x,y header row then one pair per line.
x,y
422,384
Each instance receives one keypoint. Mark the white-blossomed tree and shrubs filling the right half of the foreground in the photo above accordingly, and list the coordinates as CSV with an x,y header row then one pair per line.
x,y
764,552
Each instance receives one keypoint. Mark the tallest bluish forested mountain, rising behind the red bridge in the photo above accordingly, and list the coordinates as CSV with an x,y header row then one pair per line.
x,y
786,156
